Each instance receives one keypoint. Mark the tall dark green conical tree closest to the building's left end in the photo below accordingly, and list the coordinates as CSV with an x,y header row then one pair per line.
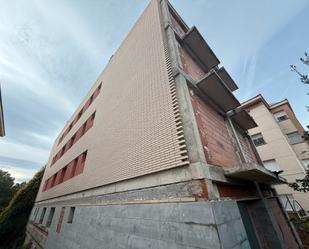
x,y
14,218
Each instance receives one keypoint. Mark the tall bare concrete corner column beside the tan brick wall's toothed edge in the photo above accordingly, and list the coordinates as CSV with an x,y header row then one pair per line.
x,y
192,137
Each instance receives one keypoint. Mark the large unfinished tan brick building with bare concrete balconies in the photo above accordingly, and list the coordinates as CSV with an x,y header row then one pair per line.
x,y
157,155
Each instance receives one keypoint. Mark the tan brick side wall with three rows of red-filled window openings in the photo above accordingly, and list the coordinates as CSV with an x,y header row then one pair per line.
x,y
137,129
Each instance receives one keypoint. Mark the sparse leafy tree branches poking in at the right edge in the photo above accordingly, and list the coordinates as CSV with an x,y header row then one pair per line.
x,y
302,185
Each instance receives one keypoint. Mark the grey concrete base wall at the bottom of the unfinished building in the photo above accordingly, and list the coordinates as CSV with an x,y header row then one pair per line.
x,y
212,225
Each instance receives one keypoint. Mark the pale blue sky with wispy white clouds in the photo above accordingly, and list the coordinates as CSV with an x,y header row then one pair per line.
x,y
51,52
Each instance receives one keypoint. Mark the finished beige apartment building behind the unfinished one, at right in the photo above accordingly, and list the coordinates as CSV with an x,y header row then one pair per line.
x,y
279,142
